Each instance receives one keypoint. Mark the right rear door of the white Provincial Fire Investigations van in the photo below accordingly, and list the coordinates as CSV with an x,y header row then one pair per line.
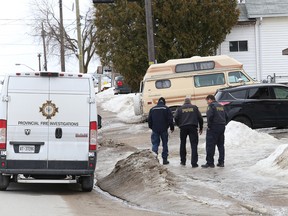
x,y
69,123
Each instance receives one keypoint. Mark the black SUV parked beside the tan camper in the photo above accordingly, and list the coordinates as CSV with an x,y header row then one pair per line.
x,y
257,106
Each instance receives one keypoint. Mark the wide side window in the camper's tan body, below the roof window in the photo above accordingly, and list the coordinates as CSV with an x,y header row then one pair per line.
x,y
209,80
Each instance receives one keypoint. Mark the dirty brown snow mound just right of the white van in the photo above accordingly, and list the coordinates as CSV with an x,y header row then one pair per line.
x,y
140,171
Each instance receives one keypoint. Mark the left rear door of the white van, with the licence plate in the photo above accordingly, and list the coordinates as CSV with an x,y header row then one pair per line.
x,y
27,134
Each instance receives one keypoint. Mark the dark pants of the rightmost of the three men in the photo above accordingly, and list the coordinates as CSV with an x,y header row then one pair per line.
x,y
215,137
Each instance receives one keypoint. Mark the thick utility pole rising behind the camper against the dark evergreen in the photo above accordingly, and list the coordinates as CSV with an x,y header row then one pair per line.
x,y
150,32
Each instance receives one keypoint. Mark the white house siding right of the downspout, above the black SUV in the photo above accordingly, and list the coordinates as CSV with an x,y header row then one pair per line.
x,y
274,38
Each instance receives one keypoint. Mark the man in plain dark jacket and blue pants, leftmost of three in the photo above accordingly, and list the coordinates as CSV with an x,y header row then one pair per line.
x,y
159,120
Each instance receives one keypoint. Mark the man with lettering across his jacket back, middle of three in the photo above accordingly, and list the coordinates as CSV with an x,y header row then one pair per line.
x,y
187,118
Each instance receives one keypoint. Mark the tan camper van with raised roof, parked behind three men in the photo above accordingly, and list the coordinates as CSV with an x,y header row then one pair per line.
x,y
194,77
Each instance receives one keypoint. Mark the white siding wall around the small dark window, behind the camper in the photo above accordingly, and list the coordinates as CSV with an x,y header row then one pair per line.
x,y
248,58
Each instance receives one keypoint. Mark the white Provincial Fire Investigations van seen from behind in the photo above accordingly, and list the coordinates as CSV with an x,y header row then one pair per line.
x,y
48,129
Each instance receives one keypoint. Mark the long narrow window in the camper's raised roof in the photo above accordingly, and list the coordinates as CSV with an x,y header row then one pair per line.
x,y
196,66
